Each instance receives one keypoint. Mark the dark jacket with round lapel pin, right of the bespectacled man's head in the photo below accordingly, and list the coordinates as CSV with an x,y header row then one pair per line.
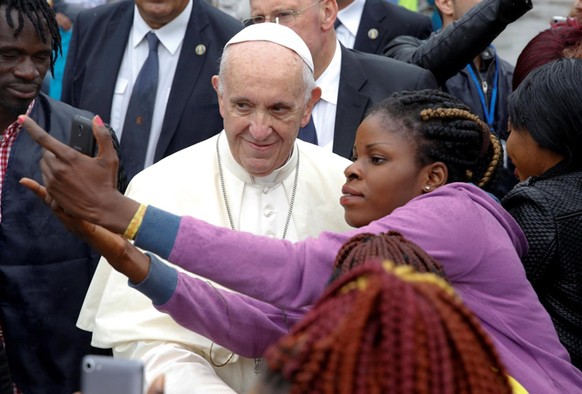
x,y
391,21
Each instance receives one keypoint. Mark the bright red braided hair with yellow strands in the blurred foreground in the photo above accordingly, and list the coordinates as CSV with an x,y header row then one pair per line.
x,y
388,329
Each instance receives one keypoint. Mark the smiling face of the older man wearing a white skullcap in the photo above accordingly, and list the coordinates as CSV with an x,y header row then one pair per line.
x,y
263,103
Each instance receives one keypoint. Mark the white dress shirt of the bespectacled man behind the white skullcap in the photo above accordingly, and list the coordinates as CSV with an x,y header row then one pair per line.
x,y
324,111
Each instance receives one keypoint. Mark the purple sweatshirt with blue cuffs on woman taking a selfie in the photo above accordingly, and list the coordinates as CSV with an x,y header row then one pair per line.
x,y
477,242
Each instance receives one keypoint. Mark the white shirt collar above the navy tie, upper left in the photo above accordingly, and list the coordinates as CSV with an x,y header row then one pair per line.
x,y
170,35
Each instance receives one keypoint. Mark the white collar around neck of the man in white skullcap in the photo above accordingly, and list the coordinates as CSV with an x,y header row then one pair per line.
x,y
277,176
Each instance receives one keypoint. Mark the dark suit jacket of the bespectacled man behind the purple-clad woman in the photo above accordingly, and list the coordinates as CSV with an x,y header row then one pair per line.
x,y
364,80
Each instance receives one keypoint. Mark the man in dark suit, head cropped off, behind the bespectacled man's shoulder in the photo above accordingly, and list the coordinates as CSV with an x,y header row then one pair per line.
x,y
369,25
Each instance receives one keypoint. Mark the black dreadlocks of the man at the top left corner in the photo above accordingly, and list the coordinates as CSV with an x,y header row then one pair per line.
x,y
42,17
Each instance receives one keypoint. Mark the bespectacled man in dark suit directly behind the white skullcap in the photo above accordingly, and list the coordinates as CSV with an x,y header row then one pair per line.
x,y
351,81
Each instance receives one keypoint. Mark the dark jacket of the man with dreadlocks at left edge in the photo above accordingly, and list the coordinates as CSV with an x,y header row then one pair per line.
x,y
45,270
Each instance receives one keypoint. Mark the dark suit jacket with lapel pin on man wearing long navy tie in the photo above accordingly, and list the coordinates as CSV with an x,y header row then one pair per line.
x,y
97,47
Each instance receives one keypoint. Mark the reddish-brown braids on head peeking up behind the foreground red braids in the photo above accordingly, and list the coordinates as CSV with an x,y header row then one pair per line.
x,y
365,247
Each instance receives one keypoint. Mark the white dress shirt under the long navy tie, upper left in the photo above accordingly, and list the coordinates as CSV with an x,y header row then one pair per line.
x,y
171,37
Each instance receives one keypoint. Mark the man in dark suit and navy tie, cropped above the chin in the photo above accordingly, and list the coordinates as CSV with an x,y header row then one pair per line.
x,y
104,59
